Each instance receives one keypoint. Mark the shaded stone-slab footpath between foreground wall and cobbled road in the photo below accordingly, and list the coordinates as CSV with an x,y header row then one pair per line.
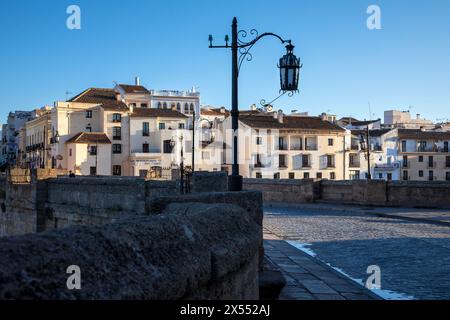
x,y
306,278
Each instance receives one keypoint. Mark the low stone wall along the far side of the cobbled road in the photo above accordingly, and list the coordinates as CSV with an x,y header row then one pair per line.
x,y
362,192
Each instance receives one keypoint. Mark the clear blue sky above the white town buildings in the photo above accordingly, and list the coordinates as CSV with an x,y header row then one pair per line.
x,y
346,66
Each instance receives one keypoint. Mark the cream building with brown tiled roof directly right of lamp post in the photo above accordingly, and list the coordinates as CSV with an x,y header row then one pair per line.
x,y
275,146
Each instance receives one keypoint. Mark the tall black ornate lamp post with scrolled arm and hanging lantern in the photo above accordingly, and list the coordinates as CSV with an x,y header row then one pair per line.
x,y
289,66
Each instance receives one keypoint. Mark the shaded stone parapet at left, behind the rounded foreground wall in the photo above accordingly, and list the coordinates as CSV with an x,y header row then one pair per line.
x,y
62,202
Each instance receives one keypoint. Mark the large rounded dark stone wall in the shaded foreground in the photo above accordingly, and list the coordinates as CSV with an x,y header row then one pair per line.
x,y
178,254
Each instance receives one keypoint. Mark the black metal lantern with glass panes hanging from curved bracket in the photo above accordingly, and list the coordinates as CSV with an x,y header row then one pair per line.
x,y
289,70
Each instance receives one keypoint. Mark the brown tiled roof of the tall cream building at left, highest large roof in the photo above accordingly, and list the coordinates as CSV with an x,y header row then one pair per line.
x,y
104,97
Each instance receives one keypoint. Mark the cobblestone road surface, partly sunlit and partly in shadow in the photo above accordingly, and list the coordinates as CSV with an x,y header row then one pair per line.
x,y
414,257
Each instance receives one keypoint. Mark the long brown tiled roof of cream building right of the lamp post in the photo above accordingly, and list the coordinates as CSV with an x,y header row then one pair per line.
x,y
289,122
